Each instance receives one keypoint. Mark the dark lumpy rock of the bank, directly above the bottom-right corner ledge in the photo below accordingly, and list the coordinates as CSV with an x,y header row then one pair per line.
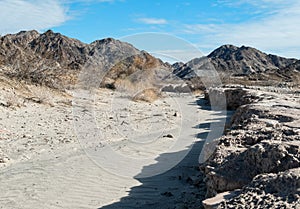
x,y
239,167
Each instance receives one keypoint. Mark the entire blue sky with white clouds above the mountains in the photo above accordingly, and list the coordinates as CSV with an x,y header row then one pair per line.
x,y
272,26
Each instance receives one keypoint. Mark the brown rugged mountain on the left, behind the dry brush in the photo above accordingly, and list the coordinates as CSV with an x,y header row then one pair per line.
x,y
57,61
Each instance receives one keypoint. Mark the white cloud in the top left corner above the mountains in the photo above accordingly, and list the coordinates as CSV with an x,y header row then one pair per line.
x,y
19,15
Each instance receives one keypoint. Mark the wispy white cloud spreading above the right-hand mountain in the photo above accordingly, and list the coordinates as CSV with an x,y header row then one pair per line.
x,y
278,32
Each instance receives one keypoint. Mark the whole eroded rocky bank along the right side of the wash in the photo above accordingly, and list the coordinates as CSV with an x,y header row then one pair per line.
x,y
260,153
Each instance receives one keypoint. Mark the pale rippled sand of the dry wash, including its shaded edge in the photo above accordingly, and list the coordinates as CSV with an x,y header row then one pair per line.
x,y
48,162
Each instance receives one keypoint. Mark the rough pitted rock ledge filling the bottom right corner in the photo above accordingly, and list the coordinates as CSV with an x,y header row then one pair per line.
x,y
281,190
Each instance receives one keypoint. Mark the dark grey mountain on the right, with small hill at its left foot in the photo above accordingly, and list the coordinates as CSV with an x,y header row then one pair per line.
x,y
247,63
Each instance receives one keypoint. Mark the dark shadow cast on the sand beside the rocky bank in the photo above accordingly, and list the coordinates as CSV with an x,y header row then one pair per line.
x,y
180,187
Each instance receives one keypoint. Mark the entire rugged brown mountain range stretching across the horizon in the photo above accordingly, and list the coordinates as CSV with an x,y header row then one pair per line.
x,y
55,60
